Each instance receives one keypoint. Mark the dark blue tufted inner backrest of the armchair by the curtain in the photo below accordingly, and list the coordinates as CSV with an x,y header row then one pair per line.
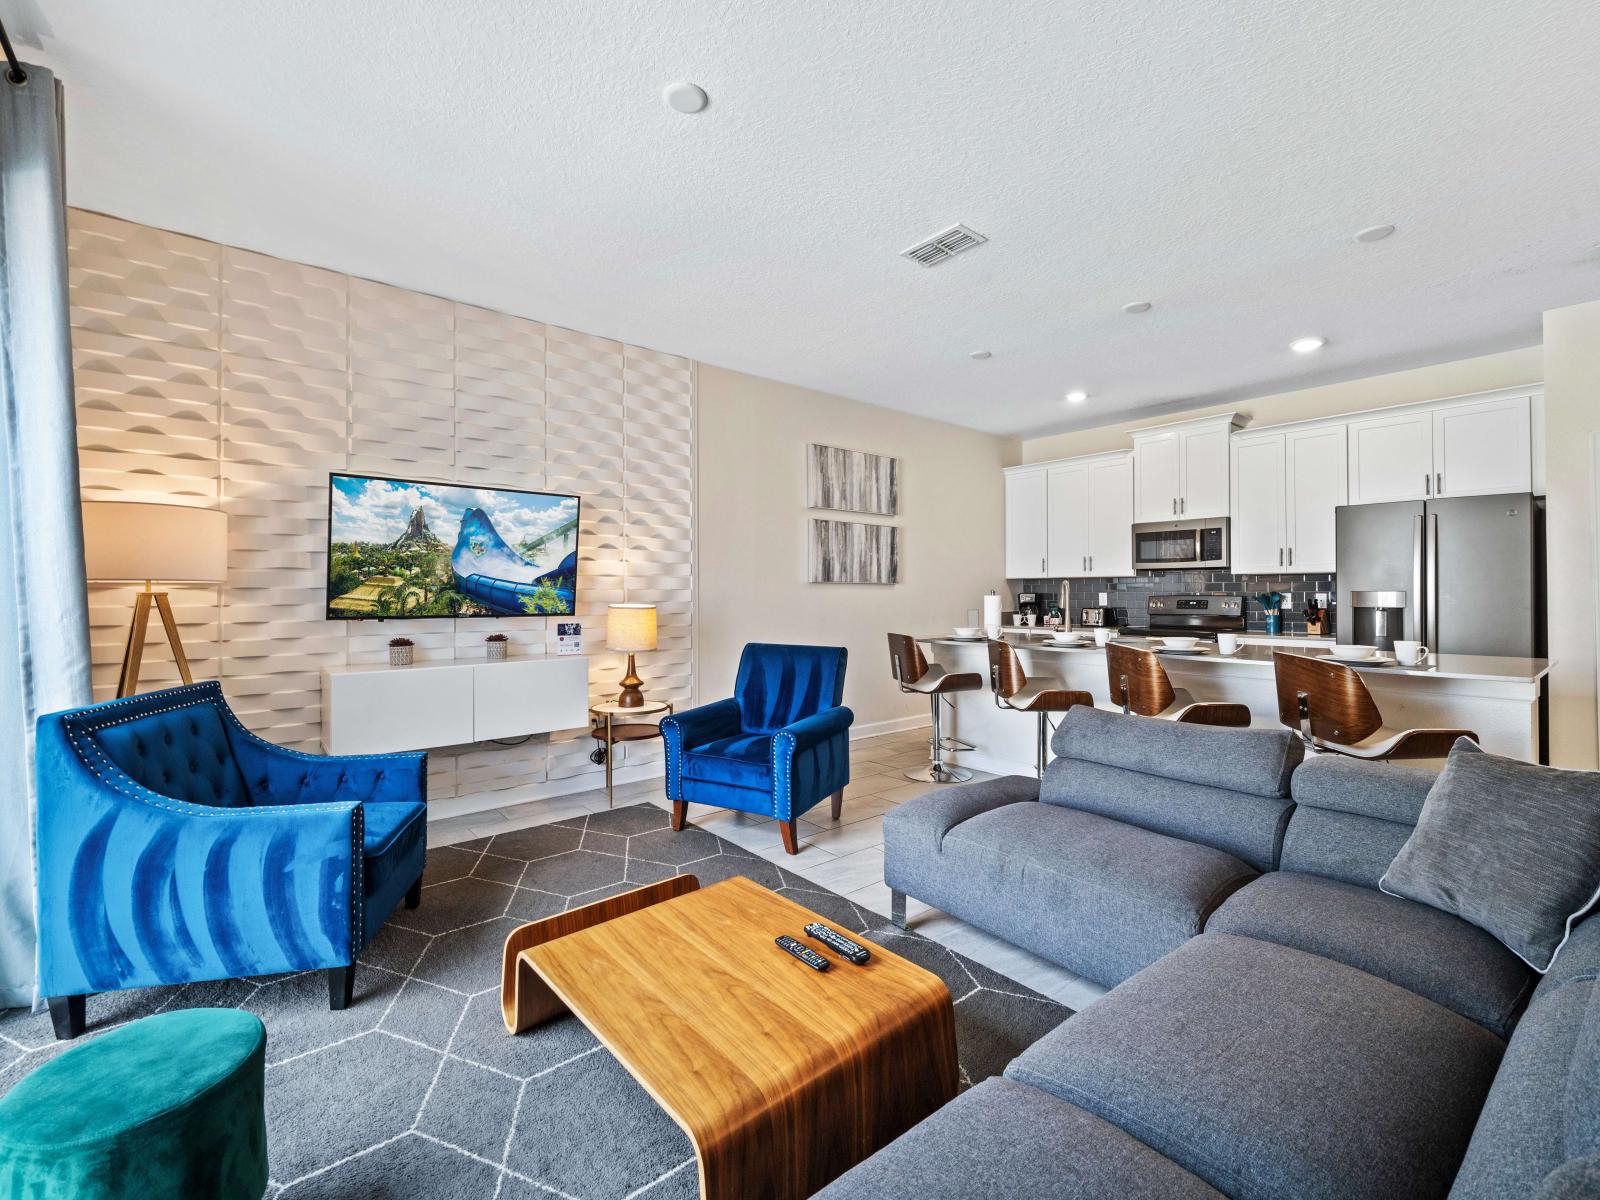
x,y
182,751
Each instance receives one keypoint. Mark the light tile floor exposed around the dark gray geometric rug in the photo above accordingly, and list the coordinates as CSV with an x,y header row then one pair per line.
x,y
846,857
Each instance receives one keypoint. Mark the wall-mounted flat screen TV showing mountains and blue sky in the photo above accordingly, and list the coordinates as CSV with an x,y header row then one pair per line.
x,y
410,550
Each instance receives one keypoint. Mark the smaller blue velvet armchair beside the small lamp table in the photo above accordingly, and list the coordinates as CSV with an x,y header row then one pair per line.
x,y
777,748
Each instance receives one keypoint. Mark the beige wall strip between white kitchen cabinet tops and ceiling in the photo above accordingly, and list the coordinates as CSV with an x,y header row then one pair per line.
x,y
1487,374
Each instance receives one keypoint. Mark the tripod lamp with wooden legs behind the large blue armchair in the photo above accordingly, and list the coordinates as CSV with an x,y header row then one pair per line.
x,y
130,543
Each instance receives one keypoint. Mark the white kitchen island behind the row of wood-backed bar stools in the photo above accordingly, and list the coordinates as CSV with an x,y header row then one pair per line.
x,y
1498,698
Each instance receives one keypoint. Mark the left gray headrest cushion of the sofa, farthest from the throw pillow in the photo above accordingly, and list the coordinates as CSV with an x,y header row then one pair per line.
x,y
1257,762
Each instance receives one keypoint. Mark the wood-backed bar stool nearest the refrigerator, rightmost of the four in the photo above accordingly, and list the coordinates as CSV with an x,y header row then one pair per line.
x,y
1330,708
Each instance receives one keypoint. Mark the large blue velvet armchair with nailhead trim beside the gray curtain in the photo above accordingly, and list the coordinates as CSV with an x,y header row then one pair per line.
x,y
175,846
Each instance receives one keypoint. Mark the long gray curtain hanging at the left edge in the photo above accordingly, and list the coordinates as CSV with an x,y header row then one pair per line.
x,y
44,607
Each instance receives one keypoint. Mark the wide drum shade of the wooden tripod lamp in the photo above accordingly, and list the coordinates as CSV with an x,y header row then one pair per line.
x,y
169,543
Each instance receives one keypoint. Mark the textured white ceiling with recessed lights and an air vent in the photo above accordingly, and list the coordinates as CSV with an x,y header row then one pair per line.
x,y
1210,156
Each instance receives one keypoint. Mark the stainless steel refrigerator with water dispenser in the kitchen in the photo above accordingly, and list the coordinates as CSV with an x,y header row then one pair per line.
x,y
1462,575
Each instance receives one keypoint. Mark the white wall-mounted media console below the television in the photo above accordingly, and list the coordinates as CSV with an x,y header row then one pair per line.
x,y
382,710
